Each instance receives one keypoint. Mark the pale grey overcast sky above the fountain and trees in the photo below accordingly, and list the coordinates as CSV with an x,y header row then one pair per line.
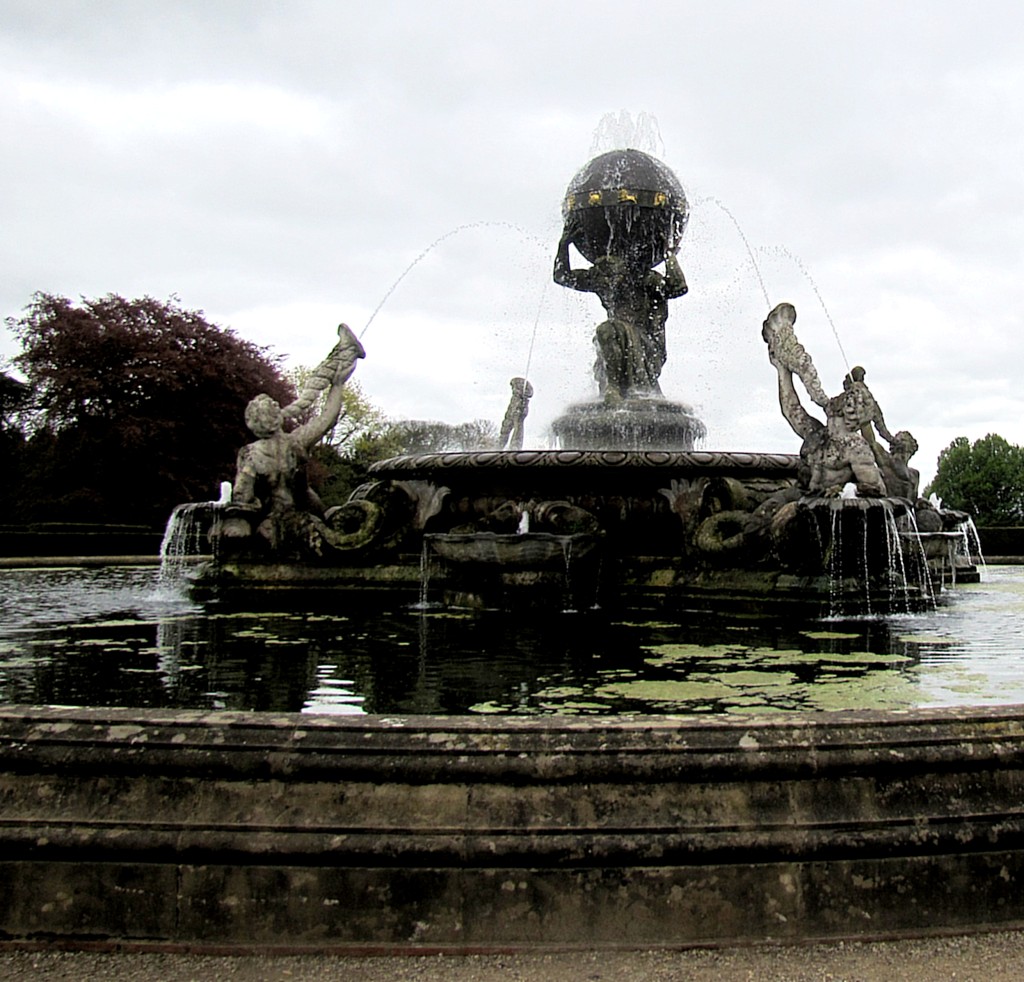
x,y
287,165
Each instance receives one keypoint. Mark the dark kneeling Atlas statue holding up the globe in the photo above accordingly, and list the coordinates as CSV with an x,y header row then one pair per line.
x,y
631,344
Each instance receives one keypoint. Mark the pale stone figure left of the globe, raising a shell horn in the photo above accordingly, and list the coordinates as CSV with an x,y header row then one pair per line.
x,y
271,485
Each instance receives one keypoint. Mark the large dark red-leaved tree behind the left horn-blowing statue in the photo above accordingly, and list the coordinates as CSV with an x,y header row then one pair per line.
x,y
139,406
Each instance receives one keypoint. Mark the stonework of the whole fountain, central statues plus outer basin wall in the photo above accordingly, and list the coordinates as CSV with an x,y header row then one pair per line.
x,y
279,831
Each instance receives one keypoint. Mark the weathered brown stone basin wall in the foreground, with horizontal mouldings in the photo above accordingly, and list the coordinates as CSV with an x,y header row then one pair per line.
x,y
250,830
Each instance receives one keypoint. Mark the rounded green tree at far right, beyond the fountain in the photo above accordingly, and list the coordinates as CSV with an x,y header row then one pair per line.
x,y
985,479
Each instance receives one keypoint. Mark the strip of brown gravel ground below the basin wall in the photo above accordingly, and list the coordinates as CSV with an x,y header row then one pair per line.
x,y
983,958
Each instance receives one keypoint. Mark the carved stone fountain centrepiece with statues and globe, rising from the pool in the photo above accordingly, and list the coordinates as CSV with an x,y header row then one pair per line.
x,y
626,514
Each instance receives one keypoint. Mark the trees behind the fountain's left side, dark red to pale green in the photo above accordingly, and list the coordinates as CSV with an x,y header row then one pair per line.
x,y
130,408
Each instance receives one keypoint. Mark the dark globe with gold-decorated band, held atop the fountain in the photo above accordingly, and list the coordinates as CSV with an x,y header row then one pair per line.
x,y
626,203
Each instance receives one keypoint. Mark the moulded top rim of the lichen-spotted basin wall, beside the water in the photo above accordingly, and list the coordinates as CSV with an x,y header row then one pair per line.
x,y
547,749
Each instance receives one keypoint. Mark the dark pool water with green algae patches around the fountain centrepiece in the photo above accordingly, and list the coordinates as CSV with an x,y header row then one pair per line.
x,y
109,637
